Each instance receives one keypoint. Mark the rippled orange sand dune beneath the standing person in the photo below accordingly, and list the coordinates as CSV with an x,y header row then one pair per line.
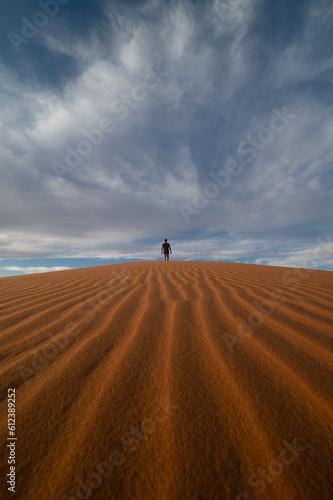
x,y
178,380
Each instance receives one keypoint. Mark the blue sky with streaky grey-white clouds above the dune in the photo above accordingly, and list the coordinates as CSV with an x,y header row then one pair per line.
x,y
125,123
